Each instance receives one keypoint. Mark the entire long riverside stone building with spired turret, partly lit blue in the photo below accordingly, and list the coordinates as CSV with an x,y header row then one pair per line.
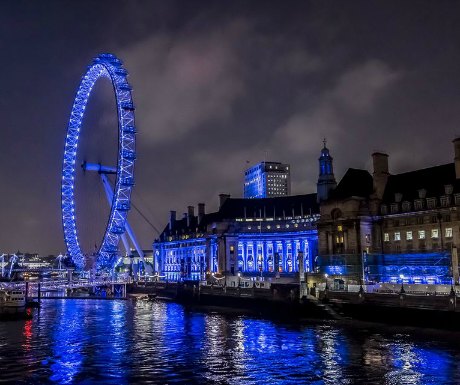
x,y
368,228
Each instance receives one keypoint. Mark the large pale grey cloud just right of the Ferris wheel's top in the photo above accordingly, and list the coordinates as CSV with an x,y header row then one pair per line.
x,y
185,81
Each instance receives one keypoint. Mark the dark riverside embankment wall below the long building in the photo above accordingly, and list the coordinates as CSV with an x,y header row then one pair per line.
x,y
284,301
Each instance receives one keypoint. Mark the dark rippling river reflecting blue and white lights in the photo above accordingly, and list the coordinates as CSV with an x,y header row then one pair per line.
x,y
128,342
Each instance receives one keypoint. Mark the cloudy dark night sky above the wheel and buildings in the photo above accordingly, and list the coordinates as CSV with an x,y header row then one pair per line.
x,y
217,84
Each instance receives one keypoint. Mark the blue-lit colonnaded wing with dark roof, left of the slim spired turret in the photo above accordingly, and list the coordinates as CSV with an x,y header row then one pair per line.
x,y
264,237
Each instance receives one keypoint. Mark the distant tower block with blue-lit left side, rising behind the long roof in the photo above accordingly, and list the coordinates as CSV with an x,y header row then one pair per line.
x,y
267,180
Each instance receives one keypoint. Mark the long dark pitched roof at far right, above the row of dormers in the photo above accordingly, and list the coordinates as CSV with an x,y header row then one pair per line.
x,y
432,179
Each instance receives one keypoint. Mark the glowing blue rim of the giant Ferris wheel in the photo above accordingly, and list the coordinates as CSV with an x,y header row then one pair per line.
x,y
109,66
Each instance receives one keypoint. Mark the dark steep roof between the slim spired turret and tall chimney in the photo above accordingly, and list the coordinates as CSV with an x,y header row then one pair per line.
x,y
355,182
